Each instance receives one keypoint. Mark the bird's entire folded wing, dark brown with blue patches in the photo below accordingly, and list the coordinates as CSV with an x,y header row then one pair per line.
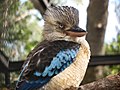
x,y
45,61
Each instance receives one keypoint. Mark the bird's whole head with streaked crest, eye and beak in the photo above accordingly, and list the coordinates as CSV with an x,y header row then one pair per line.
x,y
61,23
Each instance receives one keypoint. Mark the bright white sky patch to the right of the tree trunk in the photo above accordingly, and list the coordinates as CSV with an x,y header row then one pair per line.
x,y
112,23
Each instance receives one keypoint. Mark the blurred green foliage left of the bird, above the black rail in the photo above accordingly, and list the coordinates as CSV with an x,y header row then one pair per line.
x,y
19,29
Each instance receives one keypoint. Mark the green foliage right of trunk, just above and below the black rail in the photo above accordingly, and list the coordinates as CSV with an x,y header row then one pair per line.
x,y
113,48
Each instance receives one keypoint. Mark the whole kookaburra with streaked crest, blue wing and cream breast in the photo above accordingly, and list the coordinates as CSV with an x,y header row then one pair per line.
x,y
61,59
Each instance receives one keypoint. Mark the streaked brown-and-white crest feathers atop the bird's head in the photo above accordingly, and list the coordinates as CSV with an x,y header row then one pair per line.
x,y
64,14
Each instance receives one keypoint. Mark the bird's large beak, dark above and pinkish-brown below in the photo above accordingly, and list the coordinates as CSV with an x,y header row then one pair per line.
x,y
76,32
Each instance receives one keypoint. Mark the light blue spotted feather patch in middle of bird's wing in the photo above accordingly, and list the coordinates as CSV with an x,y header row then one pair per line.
x,y
66,56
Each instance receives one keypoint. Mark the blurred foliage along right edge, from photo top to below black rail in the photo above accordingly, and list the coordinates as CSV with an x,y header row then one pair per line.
x,y
114,47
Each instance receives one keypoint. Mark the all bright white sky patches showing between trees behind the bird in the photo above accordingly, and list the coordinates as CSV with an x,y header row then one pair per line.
x,y
112,20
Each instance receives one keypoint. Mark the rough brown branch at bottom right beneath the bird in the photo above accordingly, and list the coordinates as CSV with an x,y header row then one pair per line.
x,y
108,83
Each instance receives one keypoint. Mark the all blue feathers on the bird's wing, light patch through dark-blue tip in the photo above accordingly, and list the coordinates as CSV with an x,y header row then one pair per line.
x,y
59,63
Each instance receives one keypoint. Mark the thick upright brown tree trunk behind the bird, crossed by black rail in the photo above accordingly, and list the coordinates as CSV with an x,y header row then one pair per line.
x,y
97,14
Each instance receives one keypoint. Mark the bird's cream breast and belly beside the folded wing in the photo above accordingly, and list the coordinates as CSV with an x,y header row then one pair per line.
x,y
74,74
